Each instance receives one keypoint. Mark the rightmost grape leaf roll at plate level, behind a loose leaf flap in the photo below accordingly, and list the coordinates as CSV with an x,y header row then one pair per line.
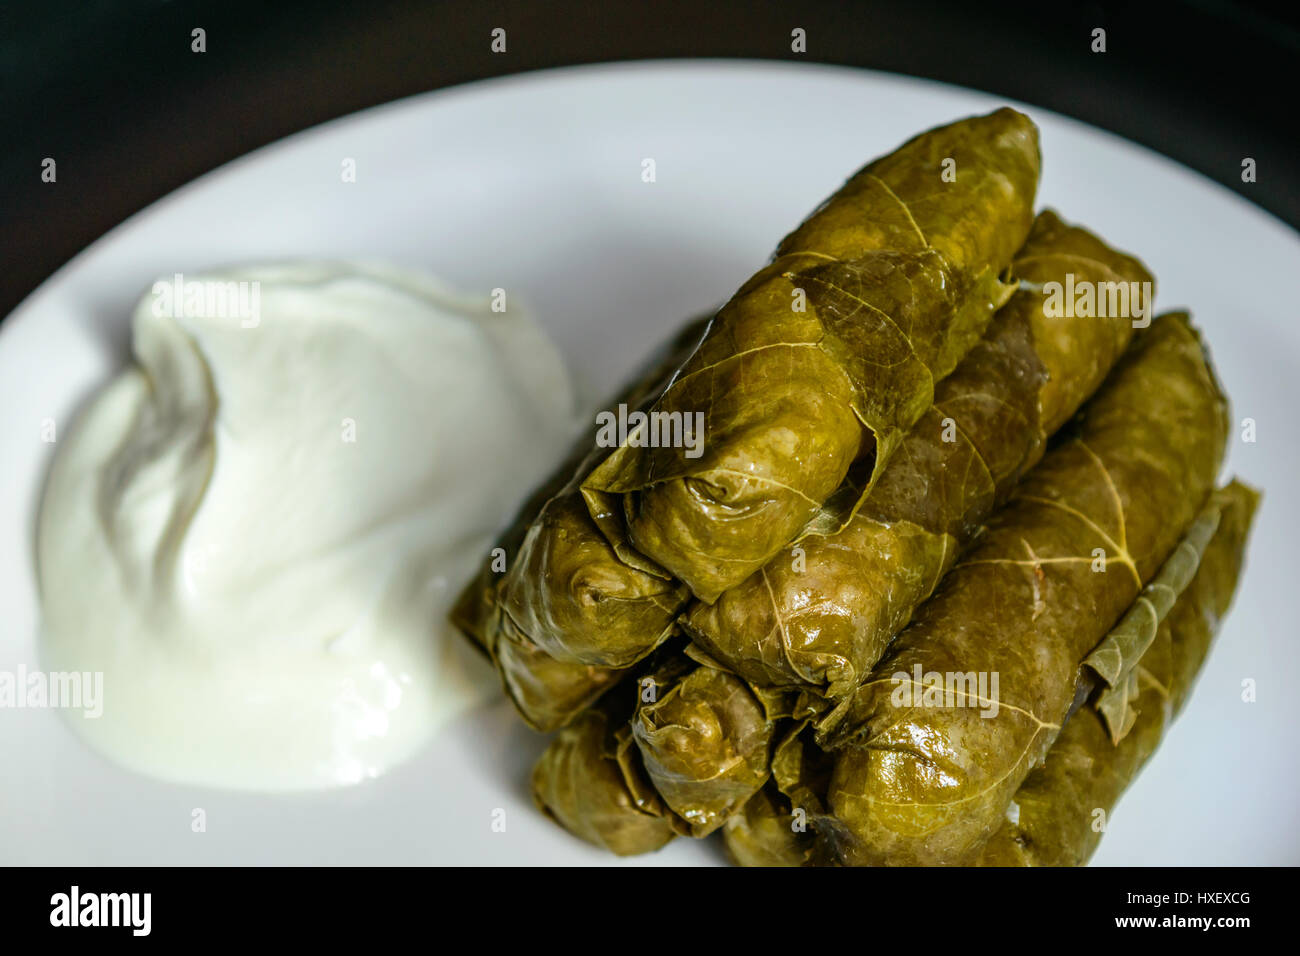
x,y
1056,817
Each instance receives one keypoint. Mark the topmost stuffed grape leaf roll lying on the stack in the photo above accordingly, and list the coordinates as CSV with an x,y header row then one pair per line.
x,y
827,356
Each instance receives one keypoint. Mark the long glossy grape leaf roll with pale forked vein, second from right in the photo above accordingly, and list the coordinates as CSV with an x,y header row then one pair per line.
x,y
973,694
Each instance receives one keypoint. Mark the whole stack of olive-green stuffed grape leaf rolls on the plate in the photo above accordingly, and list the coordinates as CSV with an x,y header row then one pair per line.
x,y
948,565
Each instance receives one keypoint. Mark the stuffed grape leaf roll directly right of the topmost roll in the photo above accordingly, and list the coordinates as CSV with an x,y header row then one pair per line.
x,y
820,616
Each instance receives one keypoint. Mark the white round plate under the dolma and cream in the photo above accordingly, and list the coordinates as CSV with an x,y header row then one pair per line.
x,y
534,184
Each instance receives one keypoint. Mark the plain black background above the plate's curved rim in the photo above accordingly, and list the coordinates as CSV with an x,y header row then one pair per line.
x,y
112,92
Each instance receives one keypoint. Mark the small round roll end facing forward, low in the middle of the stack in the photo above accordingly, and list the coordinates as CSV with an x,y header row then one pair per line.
x,y
707,743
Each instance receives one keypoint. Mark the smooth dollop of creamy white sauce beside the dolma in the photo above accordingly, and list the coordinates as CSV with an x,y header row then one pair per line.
x,y
257,531
